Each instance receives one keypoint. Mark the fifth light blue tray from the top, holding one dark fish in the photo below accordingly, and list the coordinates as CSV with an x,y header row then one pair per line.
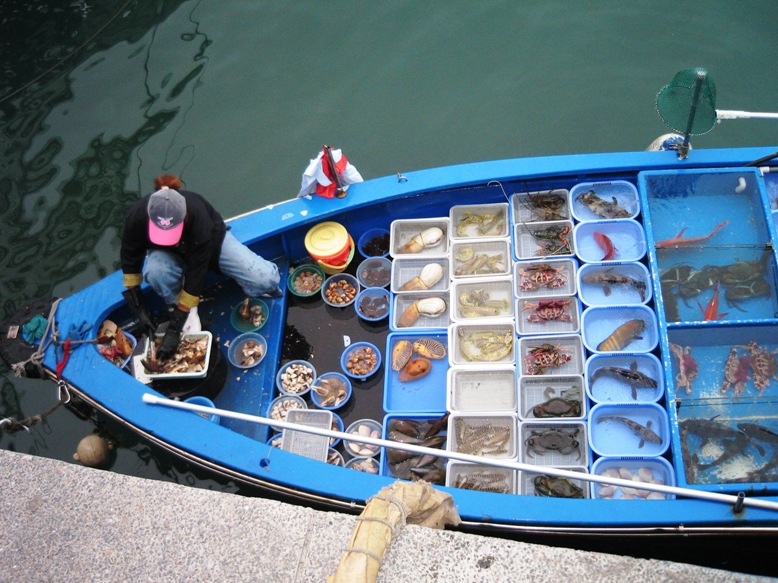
x,y
610,378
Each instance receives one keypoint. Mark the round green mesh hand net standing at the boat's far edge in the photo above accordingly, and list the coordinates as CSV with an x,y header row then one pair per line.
x,y
688,103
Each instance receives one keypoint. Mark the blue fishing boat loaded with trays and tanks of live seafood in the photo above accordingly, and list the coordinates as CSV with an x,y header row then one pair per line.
x,y
566,344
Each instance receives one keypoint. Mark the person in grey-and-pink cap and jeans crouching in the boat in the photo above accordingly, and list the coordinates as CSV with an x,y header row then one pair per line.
x,y
183,237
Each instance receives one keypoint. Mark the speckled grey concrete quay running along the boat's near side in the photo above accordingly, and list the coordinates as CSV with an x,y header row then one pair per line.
x,y
64,522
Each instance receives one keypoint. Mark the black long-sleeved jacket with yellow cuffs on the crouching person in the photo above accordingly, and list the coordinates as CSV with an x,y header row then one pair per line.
x,y
199,247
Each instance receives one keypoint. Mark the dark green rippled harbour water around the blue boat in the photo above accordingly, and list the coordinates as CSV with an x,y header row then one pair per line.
x,y
98,99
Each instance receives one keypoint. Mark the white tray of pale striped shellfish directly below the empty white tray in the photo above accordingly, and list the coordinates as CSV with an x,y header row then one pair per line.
x,y
492,435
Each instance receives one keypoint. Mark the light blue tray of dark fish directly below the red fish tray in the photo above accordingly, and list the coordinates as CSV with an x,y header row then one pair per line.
x,y
622,284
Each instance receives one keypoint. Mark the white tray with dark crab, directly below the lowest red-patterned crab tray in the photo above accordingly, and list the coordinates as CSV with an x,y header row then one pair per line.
x,y
553,397
